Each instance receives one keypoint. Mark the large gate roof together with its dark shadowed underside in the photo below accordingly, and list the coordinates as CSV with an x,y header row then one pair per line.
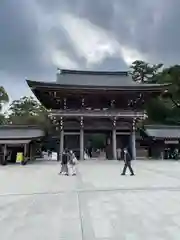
x,y
75,83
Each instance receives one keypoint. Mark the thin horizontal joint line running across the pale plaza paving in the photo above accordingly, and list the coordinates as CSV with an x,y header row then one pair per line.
x,y
176,189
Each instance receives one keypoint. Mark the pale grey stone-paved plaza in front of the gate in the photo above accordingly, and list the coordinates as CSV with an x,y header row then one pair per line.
x,y
98,203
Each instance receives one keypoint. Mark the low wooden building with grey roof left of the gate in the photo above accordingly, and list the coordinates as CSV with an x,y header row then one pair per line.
x,y
18,138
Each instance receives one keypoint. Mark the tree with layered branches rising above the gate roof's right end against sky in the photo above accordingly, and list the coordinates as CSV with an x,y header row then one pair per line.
x,y
143,72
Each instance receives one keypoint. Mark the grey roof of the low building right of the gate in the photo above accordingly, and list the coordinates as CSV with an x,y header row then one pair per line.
x,y
163,131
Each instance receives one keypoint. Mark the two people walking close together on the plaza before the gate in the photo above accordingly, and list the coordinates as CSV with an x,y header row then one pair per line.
x,y
68,163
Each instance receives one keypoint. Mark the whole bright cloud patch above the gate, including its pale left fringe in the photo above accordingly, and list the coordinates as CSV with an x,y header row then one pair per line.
x,y
90,42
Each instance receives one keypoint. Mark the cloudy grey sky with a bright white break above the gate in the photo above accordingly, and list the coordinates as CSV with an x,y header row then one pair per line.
x,y
37,36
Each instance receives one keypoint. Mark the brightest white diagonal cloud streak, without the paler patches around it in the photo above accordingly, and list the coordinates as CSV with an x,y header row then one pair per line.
x,y
89,41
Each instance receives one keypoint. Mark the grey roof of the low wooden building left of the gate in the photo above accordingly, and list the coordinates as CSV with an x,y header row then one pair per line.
x,y
14,132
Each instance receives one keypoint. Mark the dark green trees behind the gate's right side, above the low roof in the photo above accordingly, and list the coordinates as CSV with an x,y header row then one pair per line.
x,y
160,110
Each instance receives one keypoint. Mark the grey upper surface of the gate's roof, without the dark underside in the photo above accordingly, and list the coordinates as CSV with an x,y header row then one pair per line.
x,y
94,80
